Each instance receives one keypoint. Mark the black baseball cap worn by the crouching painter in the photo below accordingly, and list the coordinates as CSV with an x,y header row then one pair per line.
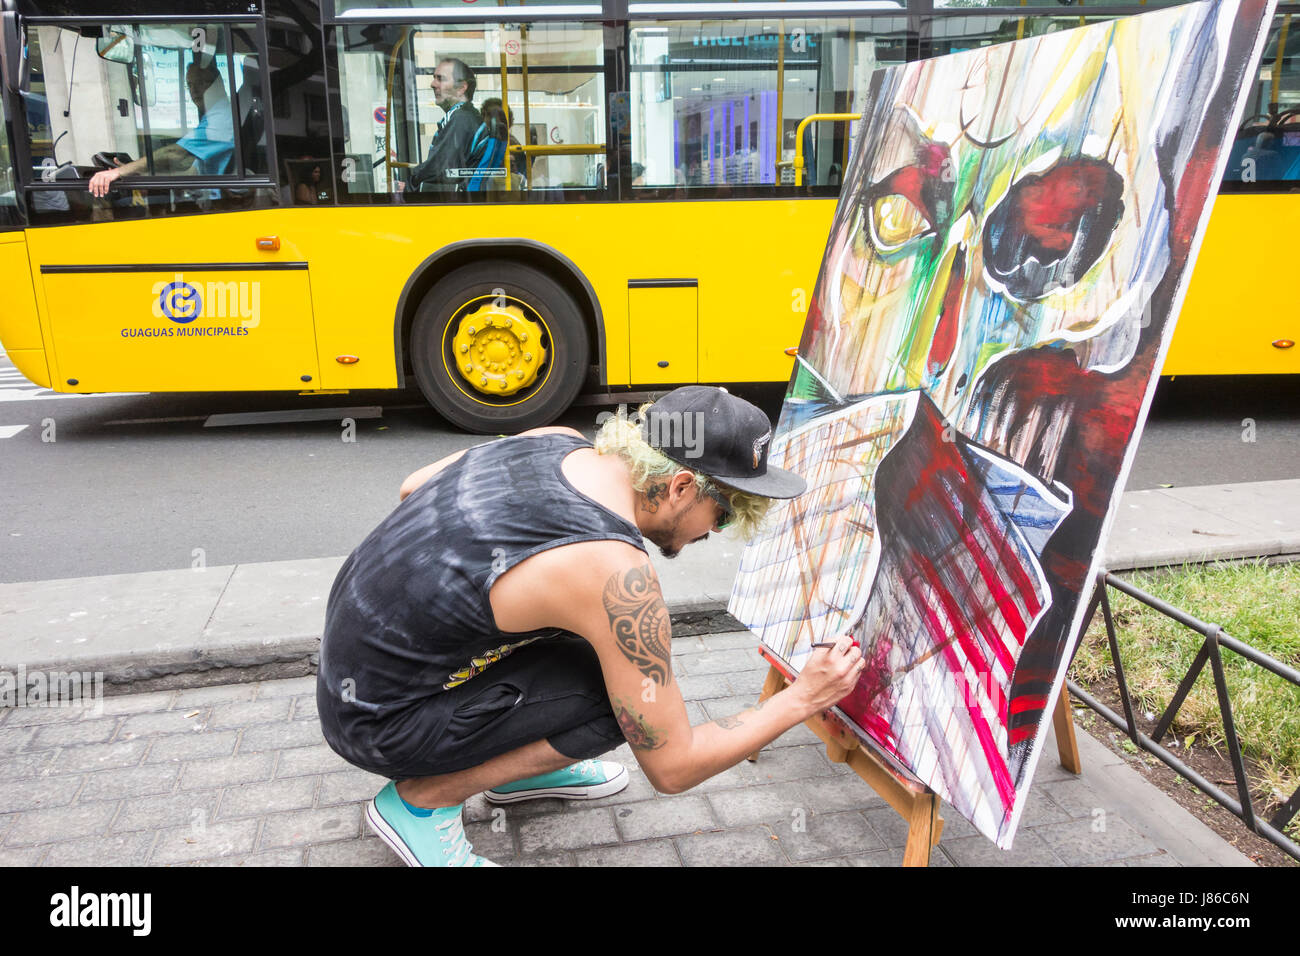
x,y
710,431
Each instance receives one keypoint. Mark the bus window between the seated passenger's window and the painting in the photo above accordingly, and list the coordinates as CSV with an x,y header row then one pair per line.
x,y
720,103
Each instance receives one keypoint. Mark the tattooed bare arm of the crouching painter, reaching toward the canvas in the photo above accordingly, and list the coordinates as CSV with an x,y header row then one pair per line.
x,y
631,634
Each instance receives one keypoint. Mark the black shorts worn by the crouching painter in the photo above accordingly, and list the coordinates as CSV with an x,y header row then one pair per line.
x,y
552,690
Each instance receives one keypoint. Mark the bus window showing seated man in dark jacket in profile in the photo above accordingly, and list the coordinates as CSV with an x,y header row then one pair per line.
x,y
436,114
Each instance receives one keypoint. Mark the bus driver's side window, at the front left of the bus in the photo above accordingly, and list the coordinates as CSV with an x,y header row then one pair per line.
x,y
159,101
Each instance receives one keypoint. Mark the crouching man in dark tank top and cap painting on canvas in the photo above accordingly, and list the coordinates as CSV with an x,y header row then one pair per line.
x,y
504,626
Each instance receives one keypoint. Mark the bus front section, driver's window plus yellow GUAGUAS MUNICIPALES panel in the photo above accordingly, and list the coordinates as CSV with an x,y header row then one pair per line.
x,y
168,272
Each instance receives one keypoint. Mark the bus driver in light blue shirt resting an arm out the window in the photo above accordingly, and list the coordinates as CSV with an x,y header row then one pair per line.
x,y
205,152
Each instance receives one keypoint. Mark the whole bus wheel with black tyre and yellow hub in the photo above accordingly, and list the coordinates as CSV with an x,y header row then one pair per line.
x,y
500,348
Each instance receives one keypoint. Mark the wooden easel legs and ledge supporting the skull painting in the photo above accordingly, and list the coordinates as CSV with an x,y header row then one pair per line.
x,y
912,799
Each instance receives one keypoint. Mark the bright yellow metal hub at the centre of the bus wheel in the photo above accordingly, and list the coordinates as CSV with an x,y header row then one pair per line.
x,y
499,349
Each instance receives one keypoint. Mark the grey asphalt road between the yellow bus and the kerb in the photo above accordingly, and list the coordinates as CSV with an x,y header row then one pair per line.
x,y
112,485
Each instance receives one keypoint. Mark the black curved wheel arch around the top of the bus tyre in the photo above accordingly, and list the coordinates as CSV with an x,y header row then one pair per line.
x,y
457,256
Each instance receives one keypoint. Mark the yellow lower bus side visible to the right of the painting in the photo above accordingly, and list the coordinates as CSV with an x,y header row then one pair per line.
x,y
1241,299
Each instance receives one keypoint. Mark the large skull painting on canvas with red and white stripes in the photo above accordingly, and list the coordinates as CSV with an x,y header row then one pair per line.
x,y
1007,261
